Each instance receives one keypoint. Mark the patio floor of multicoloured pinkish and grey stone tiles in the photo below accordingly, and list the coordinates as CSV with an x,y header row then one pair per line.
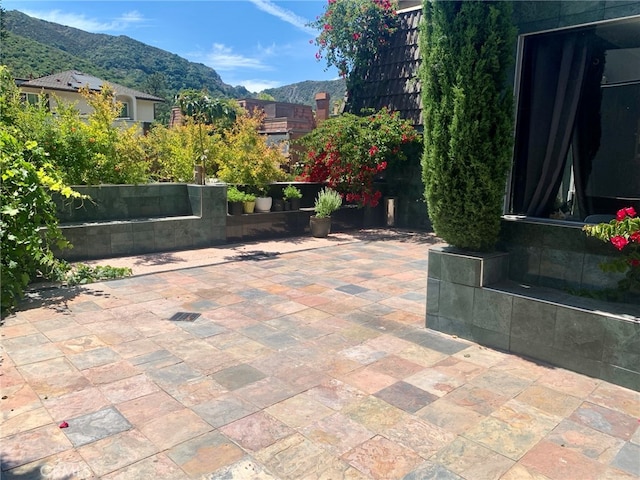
x,y
308,359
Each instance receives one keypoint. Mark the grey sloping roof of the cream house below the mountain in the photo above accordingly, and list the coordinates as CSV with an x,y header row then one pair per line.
x,y
72,81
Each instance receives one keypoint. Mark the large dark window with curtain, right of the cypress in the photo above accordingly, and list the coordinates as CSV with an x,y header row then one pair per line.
x,y
577,148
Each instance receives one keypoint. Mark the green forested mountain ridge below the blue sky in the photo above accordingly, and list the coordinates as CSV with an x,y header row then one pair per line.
x,y
33,48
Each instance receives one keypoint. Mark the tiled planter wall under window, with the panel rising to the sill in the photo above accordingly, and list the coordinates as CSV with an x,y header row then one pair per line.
x,y
517,300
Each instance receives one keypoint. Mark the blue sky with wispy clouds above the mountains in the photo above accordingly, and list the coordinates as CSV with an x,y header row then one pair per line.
x,y
256,43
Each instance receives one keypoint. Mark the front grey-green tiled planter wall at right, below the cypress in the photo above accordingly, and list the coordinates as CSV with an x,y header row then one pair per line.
x,y
471,296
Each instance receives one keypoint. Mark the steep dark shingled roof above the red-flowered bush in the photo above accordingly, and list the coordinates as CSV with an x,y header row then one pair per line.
x,y
393,80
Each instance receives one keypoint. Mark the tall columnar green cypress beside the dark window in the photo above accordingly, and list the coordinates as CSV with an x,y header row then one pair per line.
x,y
467,48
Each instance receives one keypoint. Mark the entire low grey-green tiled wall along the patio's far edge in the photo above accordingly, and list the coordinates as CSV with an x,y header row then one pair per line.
x,y
121,220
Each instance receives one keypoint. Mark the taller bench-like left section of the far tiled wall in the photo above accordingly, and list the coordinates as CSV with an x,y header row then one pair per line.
x,y
135,219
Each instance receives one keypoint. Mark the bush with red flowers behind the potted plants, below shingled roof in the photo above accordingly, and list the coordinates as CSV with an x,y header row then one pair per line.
x,y
349,152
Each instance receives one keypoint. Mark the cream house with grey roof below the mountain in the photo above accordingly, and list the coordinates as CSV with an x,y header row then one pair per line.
x,y
137,107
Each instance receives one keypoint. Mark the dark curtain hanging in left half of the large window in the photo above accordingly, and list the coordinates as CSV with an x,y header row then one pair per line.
x,y
554,72
